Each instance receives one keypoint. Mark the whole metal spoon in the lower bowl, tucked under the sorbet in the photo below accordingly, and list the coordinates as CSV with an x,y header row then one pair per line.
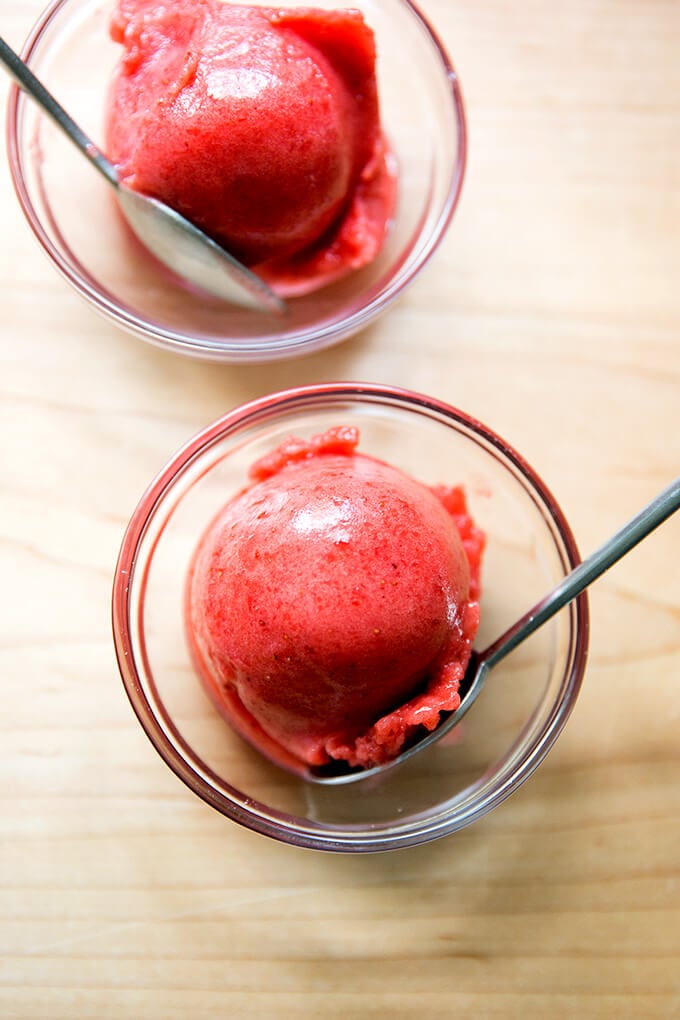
x,y
654,515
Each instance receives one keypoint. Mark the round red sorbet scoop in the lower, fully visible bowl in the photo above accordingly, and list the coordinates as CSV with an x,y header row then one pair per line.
x,y
332,604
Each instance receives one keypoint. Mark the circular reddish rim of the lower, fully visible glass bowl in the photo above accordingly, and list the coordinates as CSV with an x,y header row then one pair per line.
x,y
341,839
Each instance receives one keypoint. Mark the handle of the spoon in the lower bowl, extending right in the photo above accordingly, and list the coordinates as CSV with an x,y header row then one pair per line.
x,y
654,515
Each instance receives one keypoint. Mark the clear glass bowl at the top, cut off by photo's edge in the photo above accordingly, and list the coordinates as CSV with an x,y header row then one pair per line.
x,y
74,215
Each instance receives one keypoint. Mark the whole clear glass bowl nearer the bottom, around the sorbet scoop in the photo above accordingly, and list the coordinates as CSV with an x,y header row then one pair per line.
x,y
517,718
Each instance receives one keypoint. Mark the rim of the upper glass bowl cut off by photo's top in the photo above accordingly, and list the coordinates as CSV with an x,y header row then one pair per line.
x,y
230,347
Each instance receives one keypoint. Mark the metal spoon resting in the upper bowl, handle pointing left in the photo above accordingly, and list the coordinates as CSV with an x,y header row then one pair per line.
x,y
172,238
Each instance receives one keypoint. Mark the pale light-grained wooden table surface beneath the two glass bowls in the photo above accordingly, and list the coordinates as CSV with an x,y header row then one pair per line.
x,y
553,313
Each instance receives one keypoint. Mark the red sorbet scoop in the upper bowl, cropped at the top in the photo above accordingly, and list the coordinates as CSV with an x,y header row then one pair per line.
x,y
259,125
